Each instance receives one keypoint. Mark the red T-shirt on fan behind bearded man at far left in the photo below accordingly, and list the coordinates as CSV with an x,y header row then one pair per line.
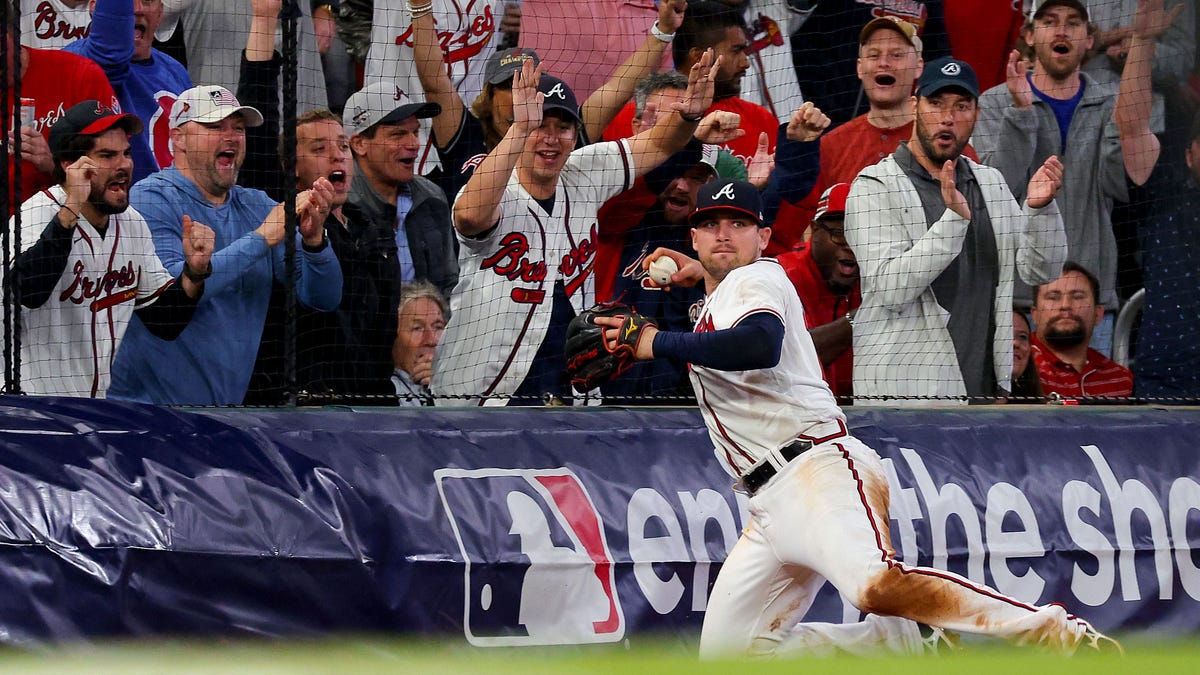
x,y
56,81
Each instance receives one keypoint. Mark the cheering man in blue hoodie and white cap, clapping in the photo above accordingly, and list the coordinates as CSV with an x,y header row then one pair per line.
x,y
211,363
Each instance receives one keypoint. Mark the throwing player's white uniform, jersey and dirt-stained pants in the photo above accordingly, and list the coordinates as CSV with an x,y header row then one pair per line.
x,y
825,515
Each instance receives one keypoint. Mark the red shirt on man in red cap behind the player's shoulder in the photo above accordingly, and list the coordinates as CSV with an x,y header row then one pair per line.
x,y
823,307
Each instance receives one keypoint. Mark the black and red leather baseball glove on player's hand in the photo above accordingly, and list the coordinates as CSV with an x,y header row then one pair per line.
x,y
590,361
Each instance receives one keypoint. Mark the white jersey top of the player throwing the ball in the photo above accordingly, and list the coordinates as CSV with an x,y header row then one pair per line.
x,y
753,413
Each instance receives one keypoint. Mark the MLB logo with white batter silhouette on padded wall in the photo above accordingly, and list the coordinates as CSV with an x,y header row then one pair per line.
x,y
538,566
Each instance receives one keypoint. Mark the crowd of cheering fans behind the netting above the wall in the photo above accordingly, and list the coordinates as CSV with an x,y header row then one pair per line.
x,y
964,195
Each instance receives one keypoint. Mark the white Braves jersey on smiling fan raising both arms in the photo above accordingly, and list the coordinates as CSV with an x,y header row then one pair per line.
x,y
501,309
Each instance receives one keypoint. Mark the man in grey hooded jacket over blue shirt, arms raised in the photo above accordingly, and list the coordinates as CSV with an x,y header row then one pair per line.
x,y
1058,110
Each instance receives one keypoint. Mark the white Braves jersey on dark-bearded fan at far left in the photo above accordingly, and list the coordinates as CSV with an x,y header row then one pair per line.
x,y
69,343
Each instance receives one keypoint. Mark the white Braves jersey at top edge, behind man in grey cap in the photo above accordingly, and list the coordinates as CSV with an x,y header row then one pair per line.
x,y
467,32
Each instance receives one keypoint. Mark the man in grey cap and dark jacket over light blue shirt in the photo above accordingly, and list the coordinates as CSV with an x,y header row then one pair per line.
x,y
382,123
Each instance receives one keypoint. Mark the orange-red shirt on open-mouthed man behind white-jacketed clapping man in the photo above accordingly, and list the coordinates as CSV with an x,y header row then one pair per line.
x,y
845,152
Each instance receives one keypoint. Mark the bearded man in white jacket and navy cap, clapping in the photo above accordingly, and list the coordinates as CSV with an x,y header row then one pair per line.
x,y
940,241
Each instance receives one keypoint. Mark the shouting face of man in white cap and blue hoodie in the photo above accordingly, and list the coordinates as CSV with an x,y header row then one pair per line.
x,y
214,152
